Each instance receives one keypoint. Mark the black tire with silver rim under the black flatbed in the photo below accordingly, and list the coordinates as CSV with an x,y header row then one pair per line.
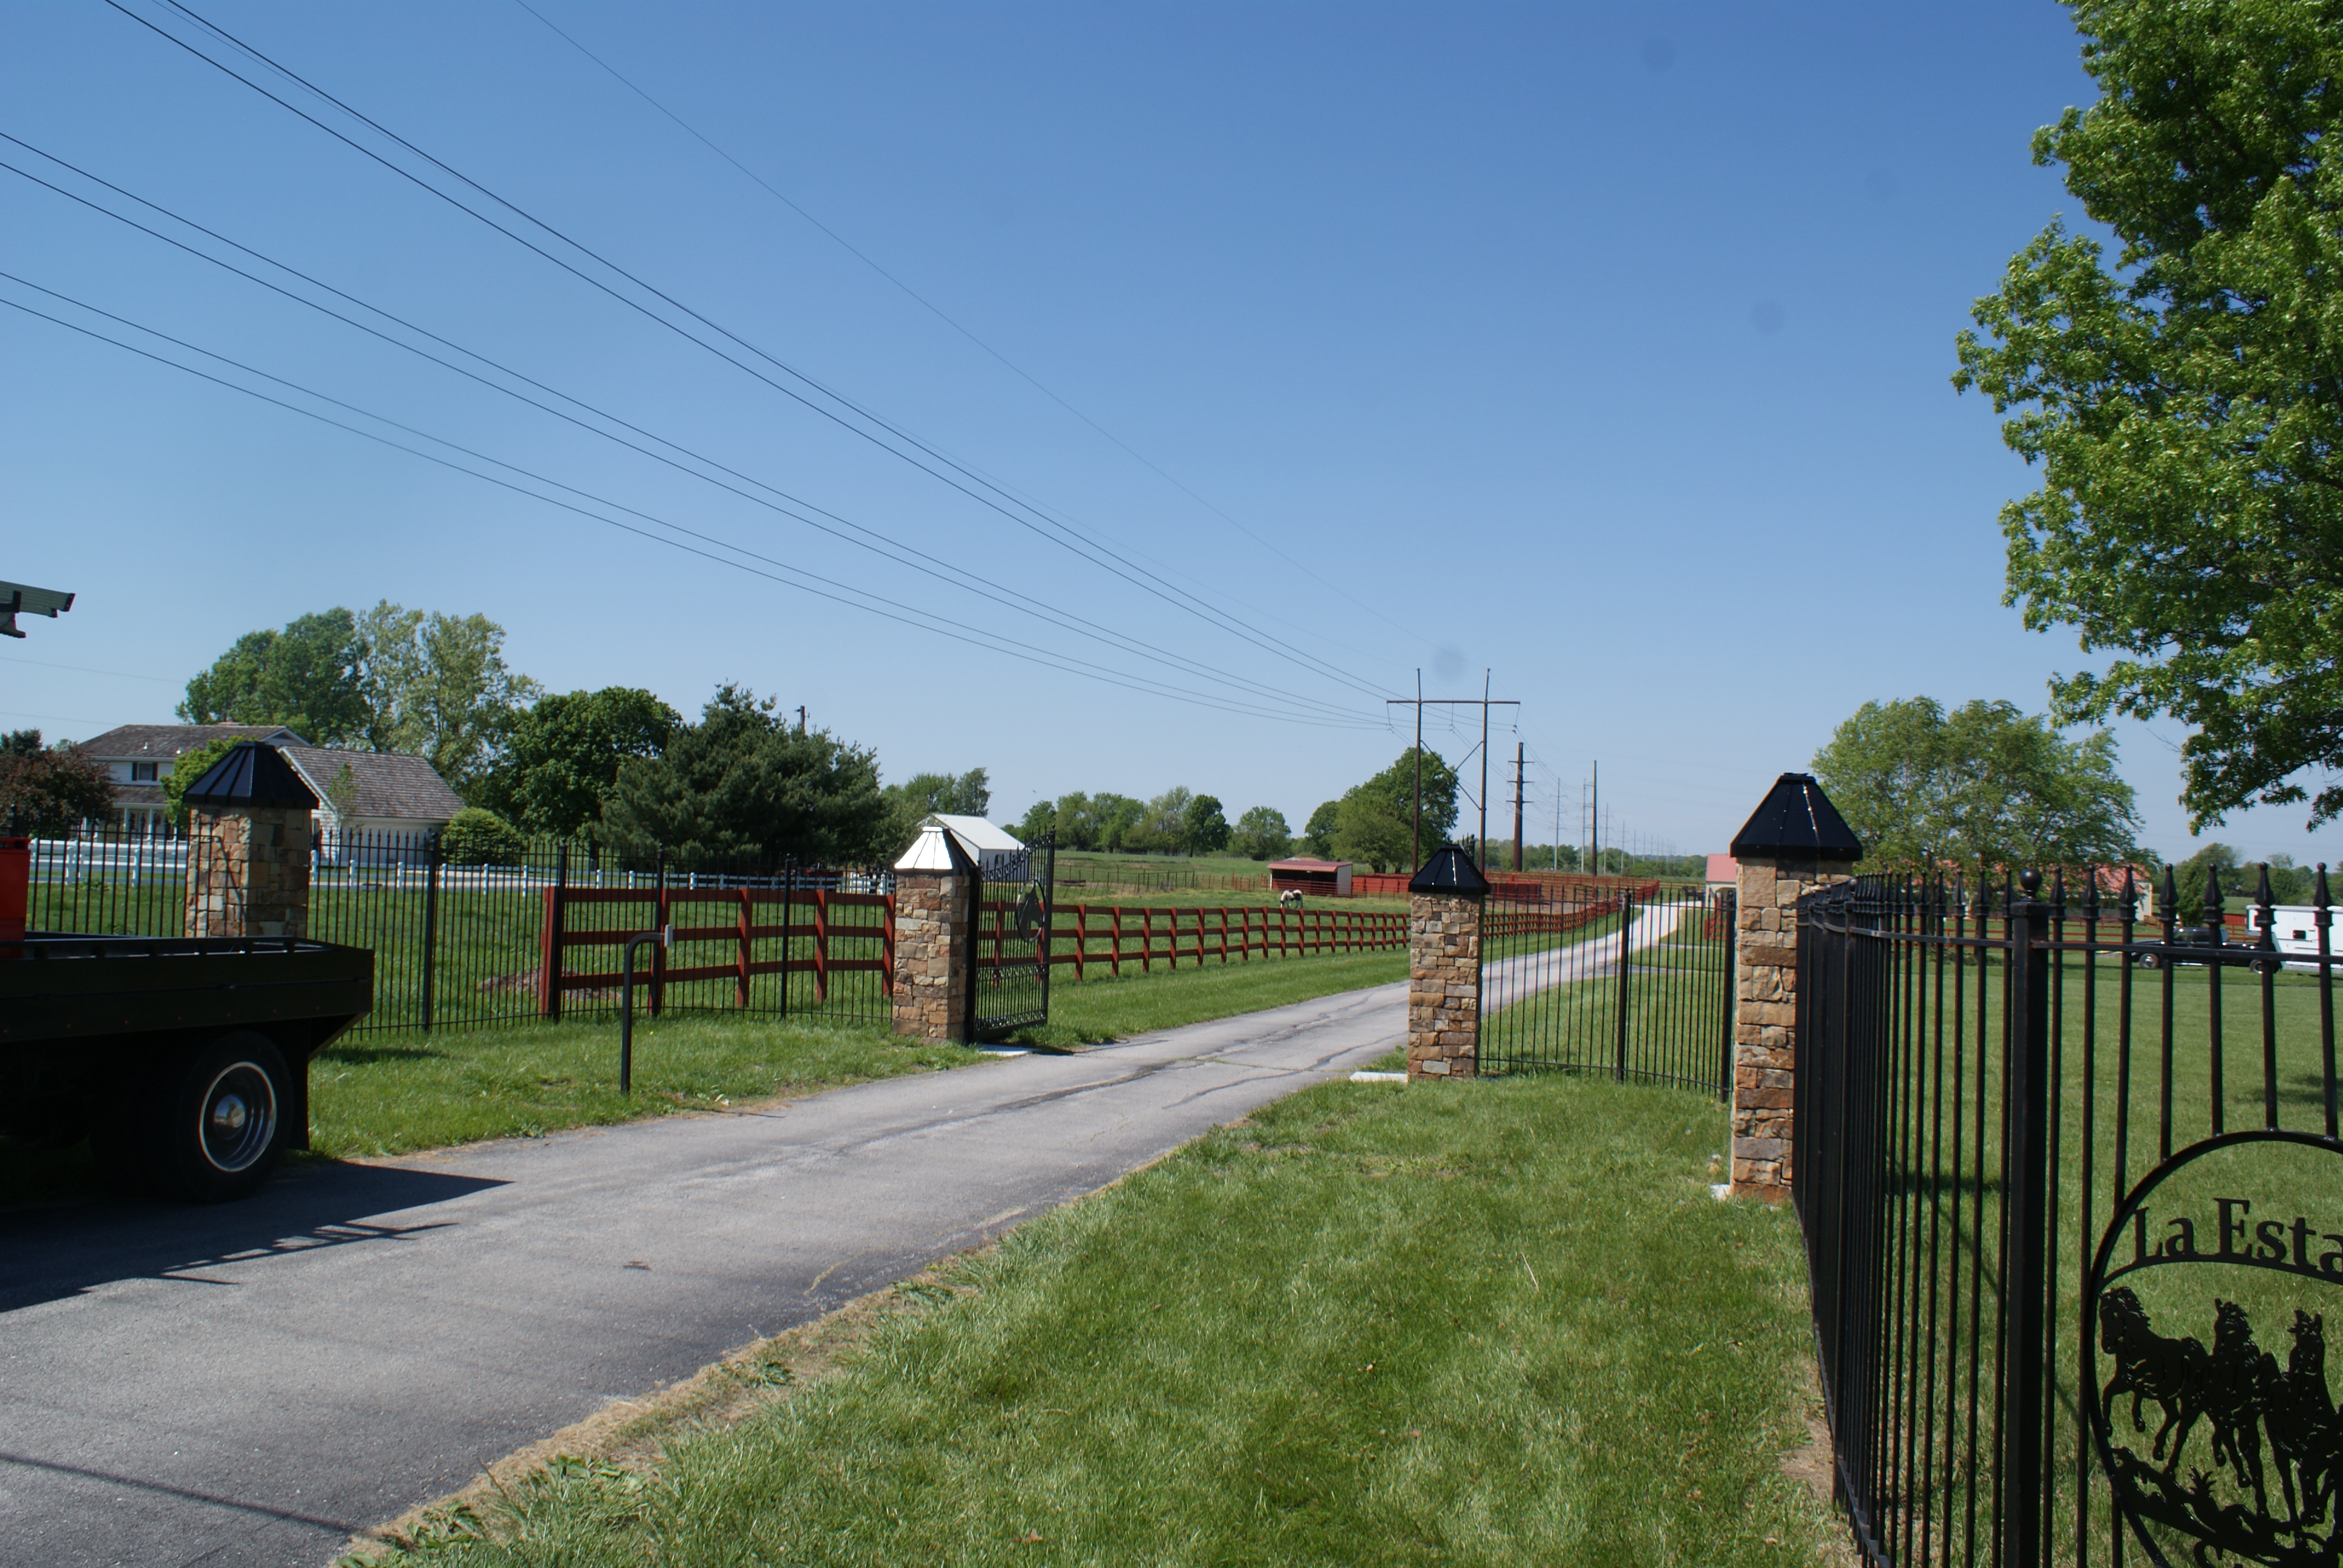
x,y
221,1119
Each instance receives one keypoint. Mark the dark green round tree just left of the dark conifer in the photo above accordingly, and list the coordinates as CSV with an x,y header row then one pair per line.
x,y
561,756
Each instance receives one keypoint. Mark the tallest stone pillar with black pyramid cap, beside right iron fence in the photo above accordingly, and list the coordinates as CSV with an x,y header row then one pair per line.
x,y
1791,847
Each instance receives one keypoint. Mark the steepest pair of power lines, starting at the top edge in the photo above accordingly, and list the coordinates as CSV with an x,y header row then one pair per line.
x,y
1065,533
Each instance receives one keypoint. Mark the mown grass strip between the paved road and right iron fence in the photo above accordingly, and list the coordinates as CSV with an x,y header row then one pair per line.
x,y
1487,1325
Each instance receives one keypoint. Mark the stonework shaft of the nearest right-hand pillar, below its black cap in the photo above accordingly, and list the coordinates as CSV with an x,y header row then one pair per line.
x,y
1765,1018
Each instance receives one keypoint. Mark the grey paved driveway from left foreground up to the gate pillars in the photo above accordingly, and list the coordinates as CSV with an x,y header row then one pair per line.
x,y
245,1386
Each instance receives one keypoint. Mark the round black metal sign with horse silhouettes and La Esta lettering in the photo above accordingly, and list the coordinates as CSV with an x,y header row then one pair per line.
x,y
2213,1410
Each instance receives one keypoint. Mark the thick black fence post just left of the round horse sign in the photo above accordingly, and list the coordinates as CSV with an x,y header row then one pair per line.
x,y
2028,1218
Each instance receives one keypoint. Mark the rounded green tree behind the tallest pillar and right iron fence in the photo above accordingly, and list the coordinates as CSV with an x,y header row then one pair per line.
x,y
1979,786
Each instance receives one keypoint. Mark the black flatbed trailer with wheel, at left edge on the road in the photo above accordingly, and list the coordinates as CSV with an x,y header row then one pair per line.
x,y
186,1061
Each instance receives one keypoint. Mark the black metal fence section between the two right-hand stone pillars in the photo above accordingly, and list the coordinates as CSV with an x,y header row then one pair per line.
x,y
1620,979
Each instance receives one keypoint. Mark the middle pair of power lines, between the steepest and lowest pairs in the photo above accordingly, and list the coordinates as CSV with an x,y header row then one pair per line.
x,y
861,538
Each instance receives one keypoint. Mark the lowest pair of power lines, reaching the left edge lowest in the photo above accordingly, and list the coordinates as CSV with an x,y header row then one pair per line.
x,y
798,578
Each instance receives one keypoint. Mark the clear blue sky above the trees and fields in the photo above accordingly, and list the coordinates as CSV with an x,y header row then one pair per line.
x,y
1606,350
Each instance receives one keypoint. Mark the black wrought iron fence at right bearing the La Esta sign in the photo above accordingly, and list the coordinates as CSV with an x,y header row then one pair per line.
x,y
2023,1126
